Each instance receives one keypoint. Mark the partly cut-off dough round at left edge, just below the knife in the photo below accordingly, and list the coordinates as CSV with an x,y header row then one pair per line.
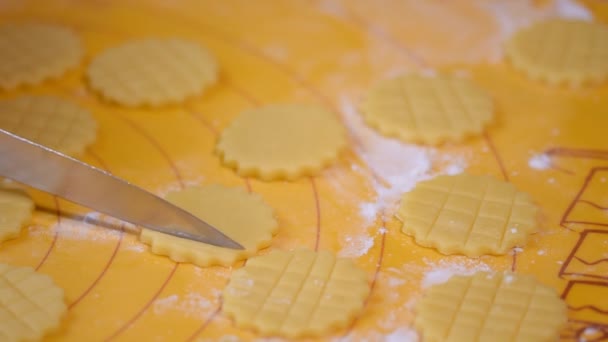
x,y
16,209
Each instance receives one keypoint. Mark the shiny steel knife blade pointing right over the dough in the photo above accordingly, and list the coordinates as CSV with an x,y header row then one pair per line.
x,y
48,170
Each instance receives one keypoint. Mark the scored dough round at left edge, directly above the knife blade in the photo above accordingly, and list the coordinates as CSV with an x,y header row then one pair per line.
x,y
49,121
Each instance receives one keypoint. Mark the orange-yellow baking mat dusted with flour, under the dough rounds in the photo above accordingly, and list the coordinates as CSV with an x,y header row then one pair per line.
x,y
550,142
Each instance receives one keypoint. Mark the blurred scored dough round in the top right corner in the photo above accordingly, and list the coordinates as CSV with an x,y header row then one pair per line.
x,y
561,51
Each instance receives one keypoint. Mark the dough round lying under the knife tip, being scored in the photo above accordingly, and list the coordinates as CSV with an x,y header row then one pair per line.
x,y
242,216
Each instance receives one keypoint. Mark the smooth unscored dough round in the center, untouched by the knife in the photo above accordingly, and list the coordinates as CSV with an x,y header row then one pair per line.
x,y
282,141
